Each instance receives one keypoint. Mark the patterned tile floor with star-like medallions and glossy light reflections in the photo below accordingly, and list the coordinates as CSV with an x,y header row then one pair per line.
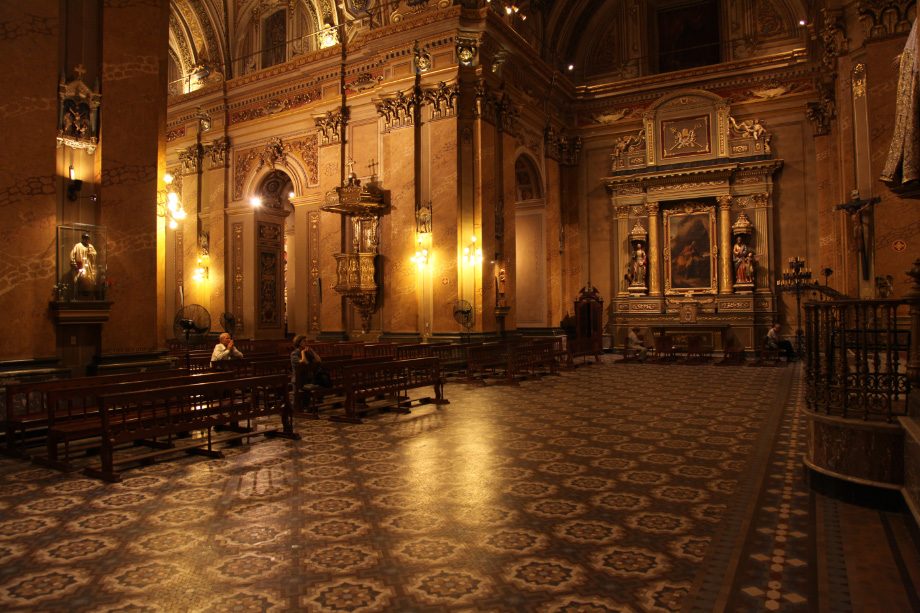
x,y
616,487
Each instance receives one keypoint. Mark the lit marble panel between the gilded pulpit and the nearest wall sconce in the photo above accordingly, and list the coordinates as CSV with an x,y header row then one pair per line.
x,y
399,306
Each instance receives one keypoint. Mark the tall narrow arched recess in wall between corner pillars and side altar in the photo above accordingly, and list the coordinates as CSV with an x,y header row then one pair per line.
x,y
530,244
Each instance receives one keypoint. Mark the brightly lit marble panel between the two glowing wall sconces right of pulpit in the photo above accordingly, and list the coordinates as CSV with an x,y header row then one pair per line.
x,y
445,210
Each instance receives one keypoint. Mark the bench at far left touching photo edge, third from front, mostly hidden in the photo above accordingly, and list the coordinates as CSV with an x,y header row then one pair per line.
x,y
27,403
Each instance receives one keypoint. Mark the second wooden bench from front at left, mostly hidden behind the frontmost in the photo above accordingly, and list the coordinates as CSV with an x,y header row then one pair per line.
x,y
81,404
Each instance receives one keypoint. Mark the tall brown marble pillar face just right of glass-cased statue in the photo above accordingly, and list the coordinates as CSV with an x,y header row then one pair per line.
x,y
134,54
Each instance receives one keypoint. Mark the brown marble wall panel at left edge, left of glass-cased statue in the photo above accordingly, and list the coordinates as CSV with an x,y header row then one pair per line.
x,y
30,183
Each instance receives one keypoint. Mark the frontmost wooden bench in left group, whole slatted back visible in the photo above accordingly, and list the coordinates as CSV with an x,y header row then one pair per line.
x,y
149,416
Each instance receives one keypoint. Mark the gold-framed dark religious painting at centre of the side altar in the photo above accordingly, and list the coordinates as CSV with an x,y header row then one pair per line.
x,y
691,264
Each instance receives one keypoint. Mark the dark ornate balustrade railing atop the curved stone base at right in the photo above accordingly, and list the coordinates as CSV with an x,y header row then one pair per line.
x,y
862,355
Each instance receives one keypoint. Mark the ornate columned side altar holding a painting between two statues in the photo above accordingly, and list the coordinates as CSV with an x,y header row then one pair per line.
x,y
692,198
